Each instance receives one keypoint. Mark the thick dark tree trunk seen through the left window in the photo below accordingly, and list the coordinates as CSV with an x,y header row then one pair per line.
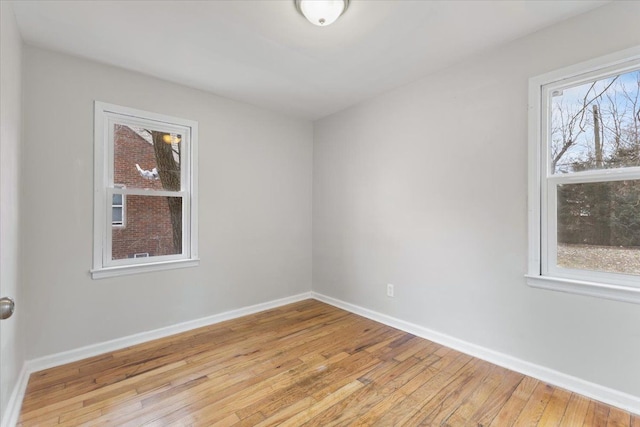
x,y
169,173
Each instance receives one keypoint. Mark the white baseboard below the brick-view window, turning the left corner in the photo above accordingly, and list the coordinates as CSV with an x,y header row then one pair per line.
x,y
10,418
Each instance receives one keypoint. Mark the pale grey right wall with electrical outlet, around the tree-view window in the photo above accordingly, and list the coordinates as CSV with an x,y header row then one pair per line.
x,y
425,187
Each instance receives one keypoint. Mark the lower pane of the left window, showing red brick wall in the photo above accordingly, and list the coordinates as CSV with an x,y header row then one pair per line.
x,y
154,226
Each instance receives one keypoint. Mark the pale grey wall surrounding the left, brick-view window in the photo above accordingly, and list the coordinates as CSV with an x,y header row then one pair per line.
x,y
254,207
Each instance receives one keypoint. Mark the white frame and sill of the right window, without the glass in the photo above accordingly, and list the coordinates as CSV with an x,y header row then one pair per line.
x,y
542,273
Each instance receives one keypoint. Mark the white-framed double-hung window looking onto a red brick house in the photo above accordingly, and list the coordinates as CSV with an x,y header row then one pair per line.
x,y
145,201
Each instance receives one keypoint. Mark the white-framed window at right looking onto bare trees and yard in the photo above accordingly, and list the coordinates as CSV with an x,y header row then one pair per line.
x,y
584,180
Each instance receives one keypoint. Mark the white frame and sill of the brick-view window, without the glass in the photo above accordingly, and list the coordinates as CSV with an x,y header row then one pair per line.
x,y
105,116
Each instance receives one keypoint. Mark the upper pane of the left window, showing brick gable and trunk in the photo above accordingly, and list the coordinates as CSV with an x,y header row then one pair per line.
x,y
146,158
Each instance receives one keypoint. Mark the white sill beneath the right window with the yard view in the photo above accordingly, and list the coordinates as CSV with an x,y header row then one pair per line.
x,y
593,289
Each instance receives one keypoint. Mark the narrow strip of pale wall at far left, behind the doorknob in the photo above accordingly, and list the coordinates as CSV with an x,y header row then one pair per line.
x,y
11,330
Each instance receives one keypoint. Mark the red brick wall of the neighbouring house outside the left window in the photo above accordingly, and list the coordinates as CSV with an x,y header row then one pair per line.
x,y
147,221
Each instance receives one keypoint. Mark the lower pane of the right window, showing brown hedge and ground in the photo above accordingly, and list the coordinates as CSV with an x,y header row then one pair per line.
x,y
599,226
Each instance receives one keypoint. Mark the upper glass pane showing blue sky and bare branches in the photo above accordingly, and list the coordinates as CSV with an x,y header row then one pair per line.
x,y
596,125
